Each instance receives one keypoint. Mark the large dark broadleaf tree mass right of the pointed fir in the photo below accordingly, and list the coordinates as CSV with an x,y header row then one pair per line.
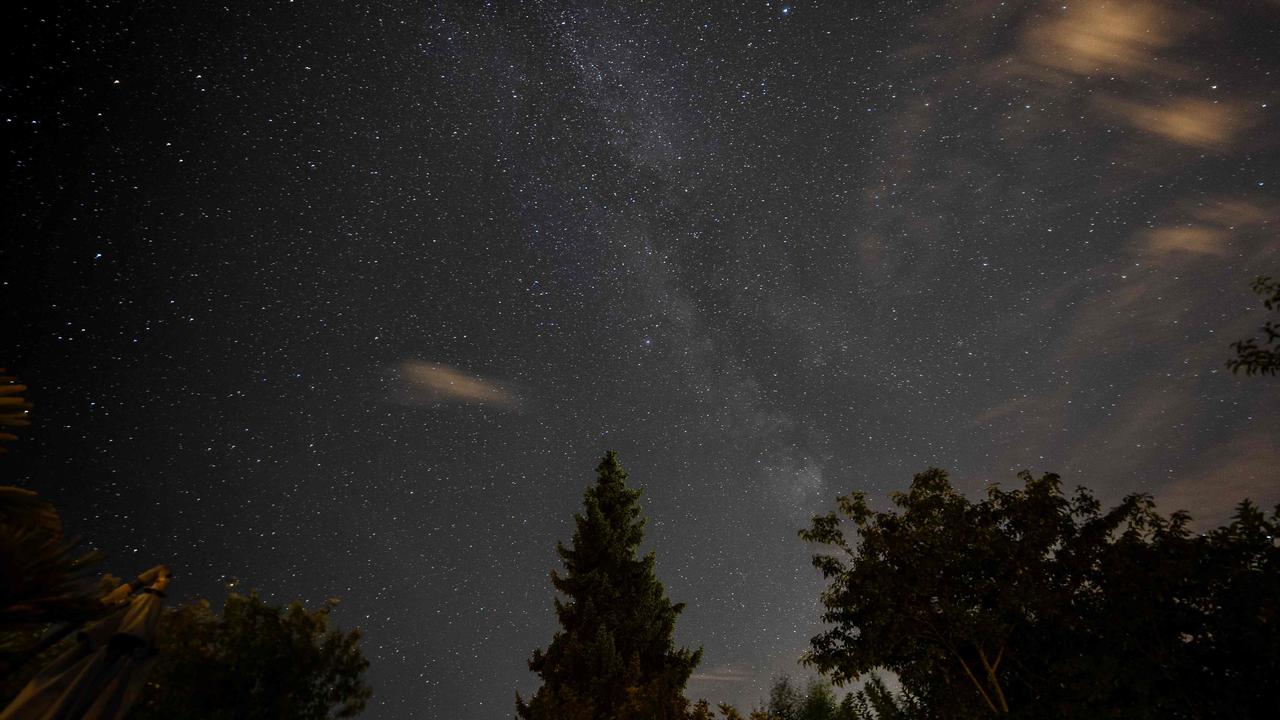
x,y
1035,604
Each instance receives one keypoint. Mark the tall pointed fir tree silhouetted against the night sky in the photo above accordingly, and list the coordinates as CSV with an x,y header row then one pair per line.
x,y
615,655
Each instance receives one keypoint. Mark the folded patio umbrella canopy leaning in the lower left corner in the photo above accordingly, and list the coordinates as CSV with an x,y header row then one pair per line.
x,y
102,677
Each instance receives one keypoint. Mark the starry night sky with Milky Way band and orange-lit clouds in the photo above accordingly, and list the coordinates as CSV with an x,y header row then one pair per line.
x,y
348,299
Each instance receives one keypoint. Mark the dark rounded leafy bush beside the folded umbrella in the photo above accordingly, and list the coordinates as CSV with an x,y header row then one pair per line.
x,y
254,662
